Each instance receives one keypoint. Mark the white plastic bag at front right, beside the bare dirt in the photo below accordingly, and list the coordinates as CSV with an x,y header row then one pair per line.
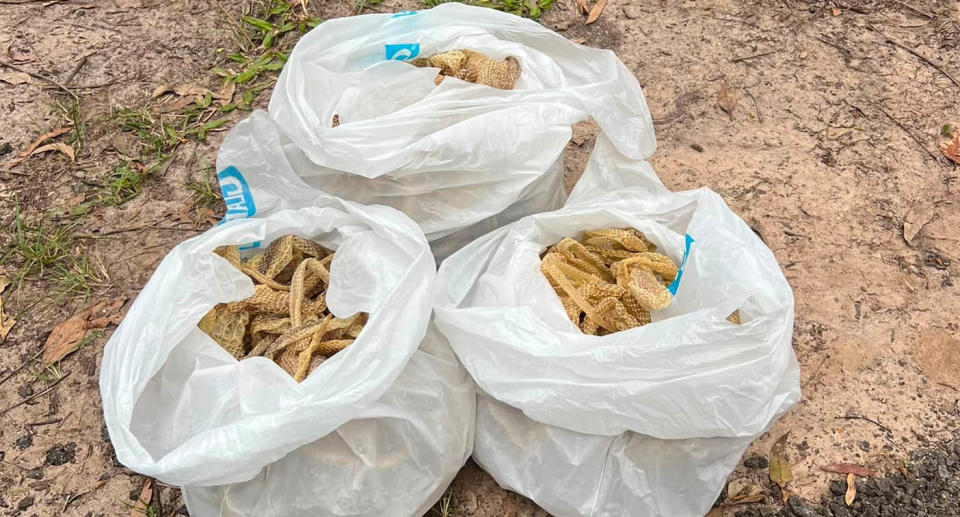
x,y
647,421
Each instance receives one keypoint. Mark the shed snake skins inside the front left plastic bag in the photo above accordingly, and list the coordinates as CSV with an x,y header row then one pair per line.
x,y
286,320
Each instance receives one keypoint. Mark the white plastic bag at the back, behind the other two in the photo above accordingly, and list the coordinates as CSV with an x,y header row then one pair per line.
x,y
460,159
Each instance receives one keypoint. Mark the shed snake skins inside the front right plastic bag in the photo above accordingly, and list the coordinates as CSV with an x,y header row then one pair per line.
x,y
610,280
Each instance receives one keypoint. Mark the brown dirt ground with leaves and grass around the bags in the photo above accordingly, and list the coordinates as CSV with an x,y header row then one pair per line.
x,y
828,148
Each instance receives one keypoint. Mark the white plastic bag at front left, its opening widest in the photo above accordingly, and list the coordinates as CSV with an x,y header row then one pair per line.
x,y
242,437
